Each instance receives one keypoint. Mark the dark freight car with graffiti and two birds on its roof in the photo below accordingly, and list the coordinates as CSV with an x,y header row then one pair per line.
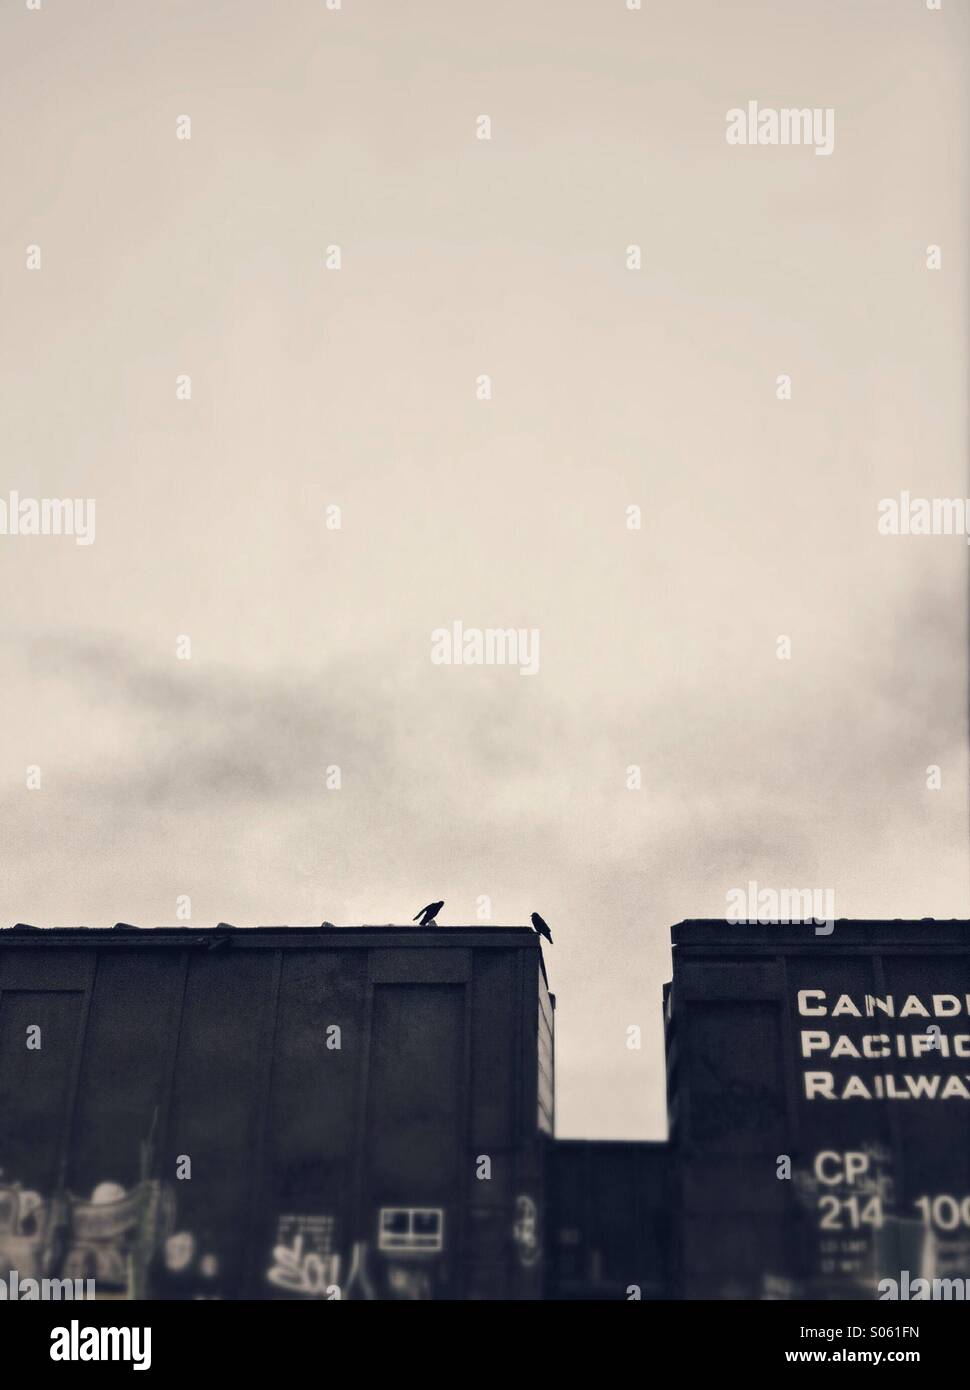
x,y
276,1113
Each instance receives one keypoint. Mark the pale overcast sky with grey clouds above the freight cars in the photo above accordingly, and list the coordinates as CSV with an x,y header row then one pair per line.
x,y
611,389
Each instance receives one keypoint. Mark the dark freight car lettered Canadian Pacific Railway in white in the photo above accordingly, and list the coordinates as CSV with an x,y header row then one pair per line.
x,y
819,1097
